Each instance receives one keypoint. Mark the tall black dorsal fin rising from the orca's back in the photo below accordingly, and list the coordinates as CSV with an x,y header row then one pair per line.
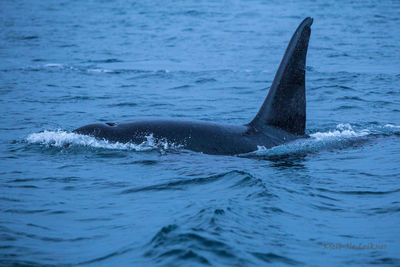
x,y
285,105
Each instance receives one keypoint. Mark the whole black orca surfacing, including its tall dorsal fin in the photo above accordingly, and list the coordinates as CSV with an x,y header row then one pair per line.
x,y
281,118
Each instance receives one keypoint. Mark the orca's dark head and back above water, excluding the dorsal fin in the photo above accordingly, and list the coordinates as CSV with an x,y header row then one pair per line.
x,y
206,137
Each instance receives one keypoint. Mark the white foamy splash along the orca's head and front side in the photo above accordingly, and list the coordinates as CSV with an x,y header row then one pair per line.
x,y
61,138
